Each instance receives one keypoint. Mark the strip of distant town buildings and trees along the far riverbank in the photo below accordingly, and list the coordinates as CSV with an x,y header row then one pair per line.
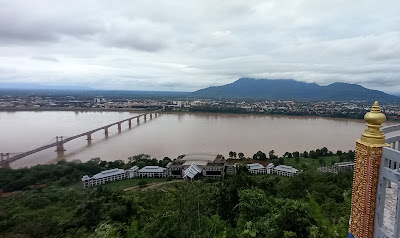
x,y
35,99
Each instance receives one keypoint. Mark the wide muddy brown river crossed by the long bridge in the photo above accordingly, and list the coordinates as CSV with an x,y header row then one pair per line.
x,y
170,134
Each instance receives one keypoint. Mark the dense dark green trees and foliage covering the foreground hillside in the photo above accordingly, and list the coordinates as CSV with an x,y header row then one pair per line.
x,y
308,205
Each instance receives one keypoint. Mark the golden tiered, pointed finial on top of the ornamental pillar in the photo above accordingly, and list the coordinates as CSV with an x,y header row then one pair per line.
x,y
373,134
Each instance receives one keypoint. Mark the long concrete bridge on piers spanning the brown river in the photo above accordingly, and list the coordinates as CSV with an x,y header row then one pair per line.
x,y
6,159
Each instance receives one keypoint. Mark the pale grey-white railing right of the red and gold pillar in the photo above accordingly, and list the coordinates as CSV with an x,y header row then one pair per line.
x,y
387,219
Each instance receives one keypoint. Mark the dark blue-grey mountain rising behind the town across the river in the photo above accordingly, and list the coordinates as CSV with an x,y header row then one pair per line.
x,y
288,89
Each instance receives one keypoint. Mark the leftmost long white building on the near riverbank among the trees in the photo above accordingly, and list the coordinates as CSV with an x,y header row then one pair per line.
x,y
103,177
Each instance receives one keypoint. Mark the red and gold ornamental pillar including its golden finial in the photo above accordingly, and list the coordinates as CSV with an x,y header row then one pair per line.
x,y
368,159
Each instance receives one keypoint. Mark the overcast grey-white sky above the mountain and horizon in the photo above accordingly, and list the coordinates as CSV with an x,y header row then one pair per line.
x,y
187,45
